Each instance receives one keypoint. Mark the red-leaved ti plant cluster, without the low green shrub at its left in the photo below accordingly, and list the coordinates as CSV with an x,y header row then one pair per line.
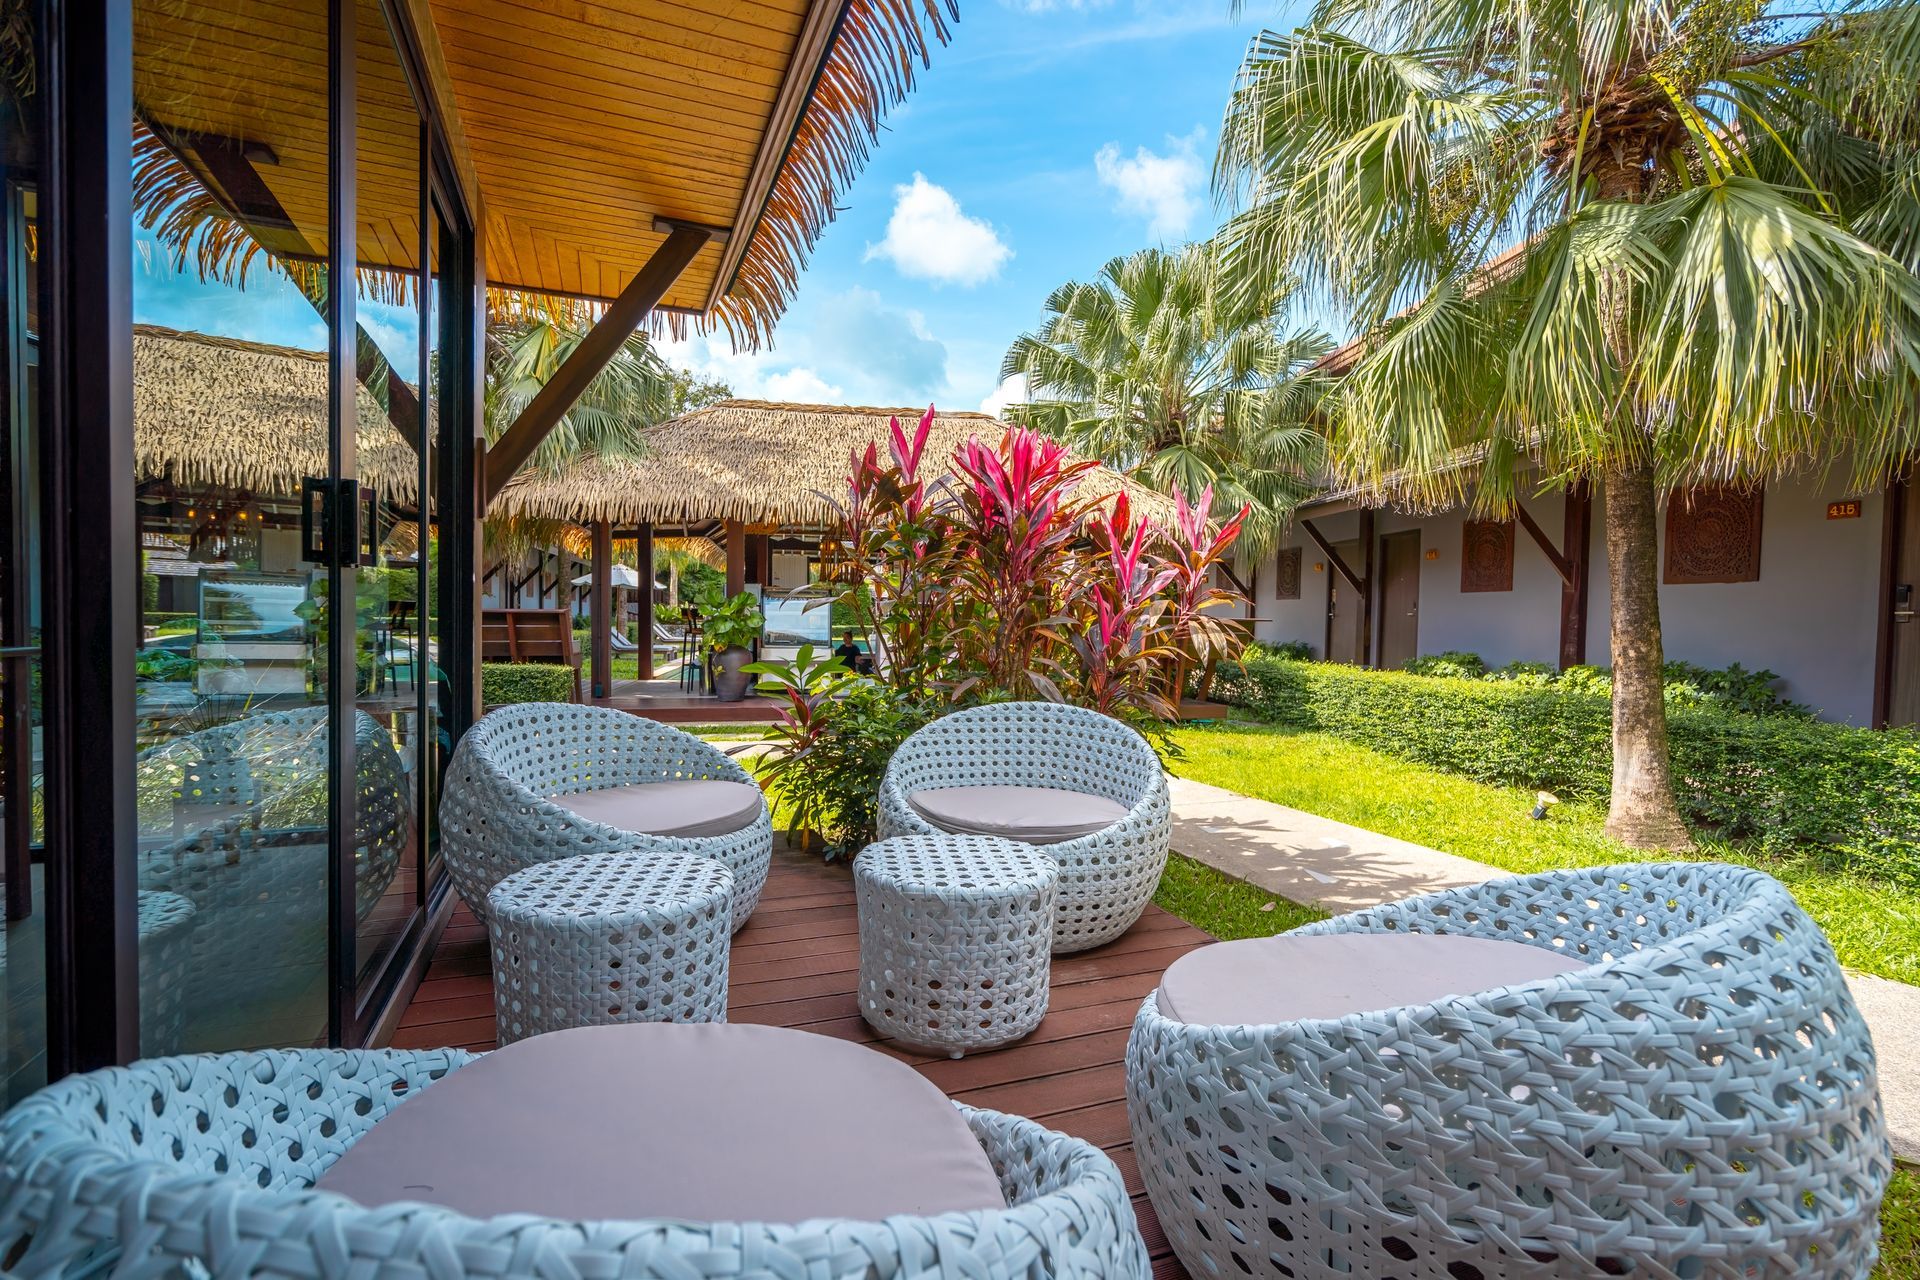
x,y
976,586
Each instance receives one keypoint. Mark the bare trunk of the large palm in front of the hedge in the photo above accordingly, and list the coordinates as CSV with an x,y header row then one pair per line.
x,y
1643,811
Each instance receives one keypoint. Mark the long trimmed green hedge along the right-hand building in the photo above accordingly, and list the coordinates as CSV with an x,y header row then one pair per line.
x,y
1787,784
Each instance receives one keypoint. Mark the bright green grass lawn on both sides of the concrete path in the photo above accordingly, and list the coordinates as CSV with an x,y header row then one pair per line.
x,y
1873,926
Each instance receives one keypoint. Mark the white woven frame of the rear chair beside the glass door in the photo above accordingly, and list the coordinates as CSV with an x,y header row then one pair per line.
x,y
496,815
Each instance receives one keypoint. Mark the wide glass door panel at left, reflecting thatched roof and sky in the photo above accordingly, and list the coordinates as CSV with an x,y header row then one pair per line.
x,y
231,419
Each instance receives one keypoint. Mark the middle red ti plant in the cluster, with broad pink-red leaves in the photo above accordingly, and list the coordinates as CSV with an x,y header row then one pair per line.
x,y
1015,523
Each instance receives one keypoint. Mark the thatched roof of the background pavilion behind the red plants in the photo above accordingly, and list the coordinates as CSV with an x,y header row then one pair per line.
x,y
757,463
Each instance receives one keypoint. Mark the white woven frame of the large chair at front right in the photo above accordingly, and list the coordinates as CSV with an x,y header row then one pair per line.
x,y
1698,1102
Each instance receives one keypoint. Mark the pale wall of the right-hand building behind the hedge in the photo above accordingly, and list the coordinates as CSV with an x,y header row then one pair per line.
x,y
1812,617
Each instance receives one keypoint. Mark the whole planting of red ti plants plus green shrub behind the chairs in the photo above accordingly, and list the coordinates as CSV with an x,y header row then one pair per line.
x,y
1001,582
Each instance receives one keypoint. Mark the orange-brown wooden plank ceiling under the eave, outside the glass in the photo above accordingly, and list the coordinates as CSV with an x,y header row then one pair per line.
x,y
588,120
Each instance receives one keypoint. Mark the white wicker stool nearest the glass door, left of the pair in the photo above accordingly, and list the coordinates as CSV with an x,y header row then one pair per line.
x,y
610,939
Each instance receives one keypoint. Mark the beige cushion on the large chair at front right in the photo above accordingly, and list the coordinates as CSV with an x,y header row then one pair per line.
x,y
1264,982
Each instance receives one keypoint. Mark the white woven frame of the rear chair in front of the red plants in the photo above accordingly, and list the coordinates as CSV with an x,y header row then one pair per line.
x,y
1107,878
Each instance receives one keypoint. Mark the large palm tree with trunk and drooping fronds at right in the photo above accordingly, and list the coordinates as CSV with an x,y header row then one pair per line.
x,y
1641,245
